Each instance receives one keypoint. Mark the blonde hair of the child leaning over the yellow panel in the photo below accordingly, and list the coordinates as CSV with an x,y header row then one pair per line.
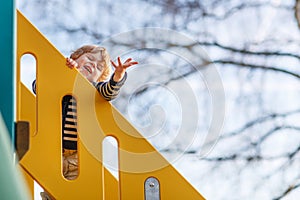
x,y
95,49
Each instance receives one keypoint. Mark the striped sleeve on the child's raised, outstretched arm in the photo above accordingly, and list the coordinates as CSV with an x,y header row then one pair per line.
x,y
109,90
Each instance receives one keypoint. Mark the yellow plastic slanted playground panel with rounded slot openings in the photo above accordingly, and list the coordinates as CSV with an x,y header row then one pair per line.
x,y
97,118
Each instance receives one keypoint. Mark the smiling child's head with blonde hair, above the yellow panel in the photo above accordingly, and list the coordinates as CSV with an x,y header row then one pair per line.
x,y
93,62
